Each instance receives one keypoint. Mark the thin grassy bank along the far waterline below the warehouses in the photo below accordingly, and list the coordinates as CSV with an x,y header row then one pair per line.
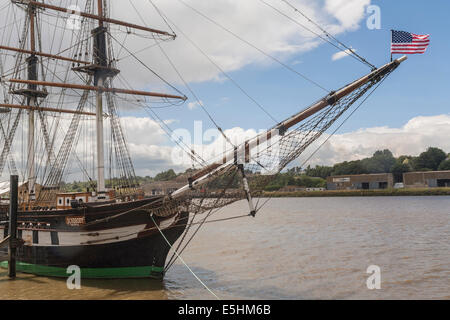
x,y
363,193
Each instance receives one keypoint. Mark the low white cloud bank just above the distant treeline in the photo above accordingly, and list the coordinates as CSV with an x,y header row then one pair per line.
x,y
152,151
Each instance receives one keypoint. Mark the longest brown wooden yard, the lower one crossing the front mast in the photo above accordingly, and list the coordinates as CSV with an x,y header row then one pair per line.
x,y
96,88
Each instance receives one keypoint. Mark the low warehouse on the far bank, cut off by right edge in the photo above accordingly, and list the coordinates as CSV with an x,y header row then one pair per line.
x,y
427,179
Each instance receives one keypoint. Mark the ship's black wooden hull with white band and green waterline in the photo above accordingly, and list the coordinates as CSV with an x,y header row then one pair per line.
x,y
126,246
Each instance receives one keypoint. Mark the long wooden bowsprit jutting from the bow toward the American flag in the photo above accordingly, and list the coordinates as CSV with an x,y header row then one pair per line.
x,y
210,171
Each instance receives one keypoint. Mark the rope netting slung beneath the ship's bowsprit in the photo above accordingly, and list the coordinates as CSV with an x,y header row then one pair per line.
x,y
261,165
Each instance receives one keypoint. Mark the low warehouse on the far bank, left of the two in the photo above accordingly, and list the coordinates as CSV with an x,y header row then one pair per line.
x,y
361,181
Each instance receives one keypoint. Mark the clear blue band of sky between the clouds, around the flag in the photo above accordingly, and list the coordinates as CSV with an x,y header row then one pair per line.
x,y
417,88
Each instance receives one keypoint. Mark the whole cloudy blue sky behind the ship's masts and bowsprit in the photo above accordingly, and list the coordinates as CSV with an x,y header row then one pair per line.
x,y
408,113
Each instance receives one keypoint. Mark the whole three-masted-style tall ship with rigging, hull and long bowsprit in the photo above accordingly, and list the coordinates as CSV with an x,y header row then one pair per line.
x,y
112,229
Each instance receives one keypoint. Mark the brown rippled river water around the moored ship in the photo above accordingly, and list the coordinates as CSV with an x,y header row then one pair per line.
x,y
296,248
